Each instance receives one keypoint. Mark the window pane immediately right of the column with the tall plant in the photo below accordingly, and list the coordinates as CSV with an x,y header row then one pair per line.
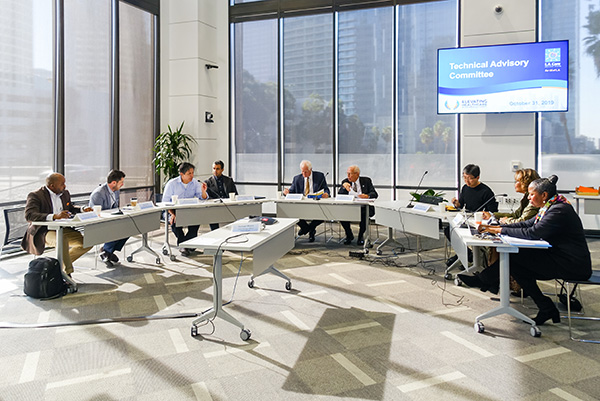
x,y
256,101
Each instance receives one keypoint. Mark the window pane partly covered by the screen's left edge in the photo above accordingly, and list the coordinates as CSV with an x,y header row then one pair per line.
x,y
426,141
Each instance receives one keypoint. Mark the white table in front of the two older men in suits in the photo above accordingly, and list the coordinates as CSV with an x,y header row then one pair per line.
x,y
326,209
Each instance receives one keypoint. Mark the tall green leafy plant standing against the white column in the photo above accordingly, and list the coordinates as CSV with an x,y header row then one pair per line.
x,y
171,148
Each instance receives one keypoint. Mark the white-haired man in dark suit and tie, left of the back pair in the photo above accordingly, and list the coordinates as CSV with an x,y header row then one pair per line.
x,y
308,181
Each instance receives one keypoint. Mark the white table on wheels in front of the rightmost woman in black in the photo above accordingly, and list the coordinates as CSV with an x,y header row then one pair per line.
x,y
462,238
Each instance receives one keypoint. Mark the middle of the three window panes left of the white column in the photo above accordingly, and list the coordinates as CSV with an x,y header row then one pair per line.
x,y
87,93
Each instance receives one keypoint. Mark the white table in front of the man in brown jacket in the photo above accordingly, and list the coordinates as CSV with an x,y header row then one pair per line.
x,y
107,228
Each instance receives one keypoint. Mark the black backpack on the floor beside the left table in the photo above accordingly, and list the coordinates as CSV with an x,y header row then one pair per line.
x,y
44,279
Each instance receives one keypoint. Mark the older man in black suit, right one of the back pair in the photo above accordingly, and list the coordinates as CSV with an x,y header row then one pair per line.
x,y
360,187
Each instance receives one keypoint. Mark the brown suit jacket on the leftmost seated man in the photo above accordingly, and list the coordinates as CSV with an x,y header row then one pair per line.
x,y
37,208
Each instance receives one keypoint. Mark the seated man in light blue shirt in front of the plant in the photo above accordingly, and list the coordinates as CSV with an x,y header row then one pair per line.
x,y
184,186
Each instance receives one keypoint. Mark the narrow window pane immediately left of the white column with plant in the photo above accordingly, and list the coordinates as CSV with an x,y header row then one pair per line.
x,y
136,95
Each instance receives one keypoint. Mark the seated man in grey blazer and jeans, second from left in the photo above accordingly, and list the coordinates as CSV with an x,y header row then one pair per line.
x,y
107,196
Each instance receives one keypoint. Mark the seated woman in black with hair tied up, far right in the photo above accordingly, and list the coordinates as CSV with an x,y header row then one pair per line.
x,y
568,258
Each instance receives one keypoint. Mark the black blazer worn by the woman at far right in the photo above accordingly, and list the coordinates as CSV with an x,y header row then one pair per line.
x,y
562,228
